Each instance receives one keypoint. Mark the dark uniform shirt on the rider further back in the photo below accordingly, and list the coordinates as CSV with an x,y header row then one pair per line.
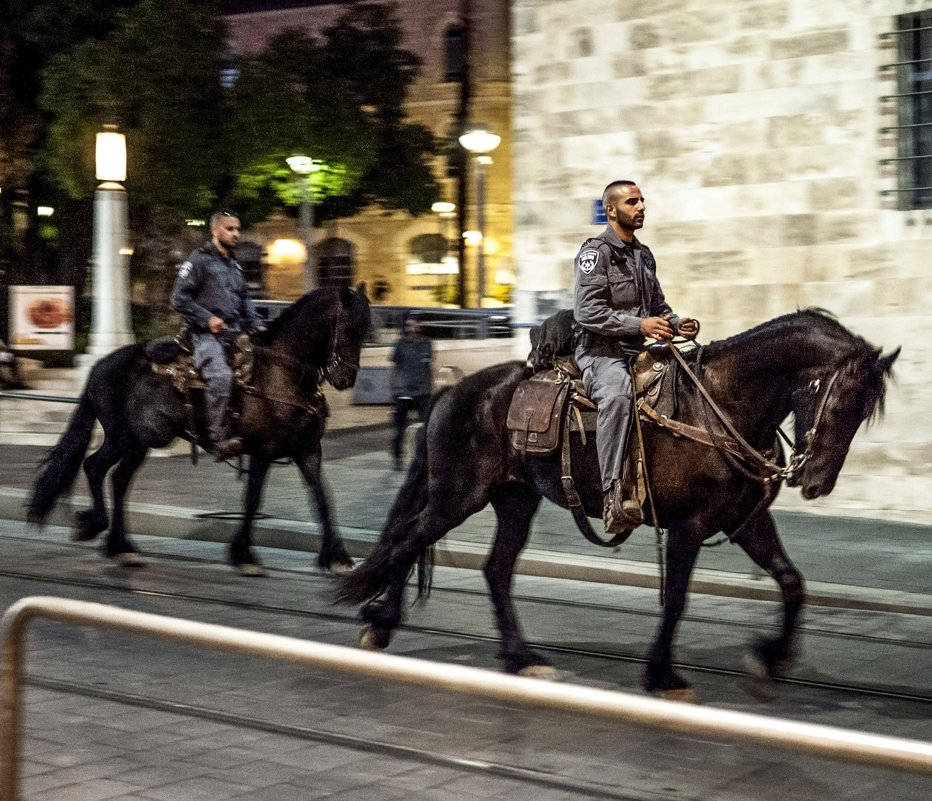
x,y
209,285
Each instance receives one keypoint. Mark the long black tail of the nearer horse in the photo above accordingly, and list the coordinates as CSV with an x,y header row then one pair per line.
x,y
374,574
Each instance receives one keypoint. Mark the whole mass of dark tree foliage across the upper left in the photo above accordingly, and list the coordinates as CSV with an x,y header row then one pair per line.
x,y
153,68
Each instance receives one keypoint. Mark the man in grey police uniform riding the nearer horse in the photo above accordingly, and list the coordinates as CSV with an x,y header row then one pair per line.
x,y
618,303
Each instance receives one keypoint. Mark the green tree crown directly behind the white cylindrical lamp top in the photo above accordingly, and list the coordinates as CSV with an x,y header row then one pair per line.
x,y
156,76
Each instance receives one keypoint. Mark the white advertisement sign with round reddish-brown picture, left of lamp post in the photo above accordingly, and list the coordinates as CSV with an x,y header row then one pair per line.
x,y
42,317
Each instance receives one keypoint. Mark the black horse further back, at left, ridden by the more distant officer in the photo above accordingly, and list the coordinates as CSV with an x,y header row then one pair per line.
x,y
281,416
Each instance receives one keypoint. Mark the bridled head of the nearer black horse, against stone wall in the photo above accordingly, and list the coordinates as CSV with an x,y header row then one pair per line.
x,y
829,407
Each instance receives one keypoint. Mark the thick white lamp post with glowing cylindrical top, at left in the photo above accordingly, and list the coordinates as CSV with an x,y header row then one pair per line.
x,y
111,325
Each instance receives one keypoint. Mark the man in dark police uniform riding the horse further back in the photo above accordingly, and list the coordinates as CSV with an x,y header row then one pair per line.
x,y
210,294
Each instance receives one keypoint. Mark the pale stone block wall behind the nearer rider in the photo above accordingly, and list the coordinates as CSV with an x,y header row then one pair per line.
x,y
753,129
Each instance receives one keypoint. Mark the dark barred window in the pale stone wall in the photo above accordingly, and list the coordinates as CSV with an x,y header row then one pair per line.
x,y
913,37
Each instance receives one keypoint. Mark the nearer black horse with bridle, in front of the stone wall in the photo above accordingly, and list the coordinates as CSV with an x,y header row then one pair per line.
x,y
806,363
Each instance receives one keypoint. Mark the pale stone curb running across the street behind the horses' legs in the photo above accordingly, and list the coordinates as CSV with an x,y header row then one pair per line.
x,y
208,526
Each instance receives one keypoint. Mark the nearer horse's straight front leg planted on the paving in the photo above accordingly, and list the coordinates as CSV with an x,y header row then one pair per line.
x,y
660,678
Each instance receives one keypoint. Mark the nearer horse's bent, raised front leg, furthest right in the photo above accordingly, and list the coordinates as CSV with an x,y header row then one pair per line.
x,y
760,540
